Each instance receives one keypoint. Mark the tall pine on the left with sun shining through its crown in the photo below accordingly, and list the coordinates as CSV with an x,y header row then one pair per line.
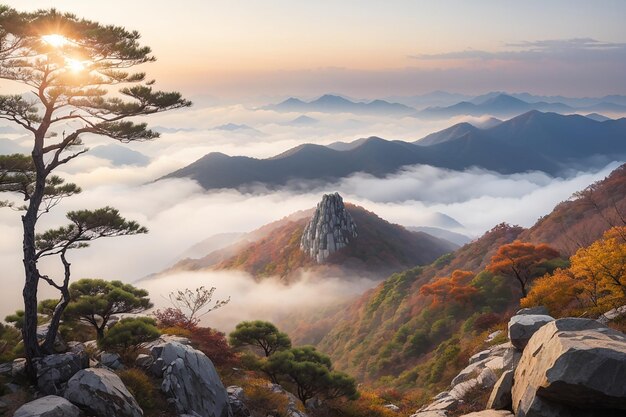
x,y
68,65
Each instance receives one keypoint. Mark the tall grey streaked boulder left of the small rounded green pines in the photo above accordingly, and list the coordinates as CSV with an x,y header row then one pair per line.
x,y
192,383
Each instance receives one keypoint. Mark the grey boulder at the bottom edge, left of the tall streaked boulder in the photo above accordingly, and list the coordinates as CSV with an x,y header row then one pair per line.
x,y
102,393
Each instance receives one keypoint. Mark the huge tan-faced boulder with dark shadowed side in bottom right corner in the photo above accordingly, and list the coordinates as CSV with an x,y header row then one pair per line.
x,y
571,364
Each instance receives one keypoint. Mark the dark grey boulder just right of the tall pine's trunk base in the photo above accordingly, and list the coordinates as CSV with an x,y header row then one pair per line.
x,y
53,371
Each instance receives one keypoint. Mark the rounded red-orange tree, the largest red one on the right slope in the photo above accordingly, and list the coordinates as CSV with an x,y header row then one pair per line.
x,y
522,261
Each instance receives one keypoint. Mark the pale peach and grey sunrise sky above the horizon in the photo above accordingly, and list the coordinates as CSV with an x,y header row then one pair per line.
x,y
370,48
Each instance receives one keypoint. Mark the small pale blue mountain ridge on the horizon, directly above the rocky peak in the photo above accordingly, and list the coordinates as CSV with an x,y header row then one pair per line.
x,y
335,104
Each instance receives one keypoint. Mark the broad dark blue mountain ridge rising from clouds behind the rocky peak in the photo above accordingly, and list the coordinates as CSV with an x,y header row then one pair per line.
x,y
534,141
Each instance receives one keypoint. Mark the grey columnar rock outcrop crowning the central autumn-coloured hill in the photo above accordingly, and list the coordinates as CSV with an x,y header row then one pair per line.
x,y
330,229
